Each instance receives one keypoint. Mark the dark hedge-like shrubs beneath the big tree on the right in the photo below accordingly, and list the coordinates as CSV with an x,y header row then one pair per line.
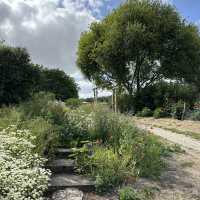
x,y
159,95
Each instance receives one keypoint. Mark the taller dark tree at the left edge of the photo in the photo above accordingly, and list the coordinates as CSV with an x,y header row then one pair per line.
x,y
18,76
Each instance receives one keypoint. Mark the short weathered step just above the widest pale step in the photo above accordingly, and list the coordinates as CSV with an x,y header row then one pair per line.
x,y
61,166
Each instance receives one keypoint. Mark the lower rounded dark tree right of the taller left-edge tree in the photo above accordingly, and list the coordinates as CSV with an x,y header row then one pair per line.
x,y
59,83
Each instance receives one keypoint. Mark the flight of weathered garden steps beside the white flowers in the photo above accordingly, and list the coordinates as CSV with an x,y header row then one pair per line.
x,y
65,184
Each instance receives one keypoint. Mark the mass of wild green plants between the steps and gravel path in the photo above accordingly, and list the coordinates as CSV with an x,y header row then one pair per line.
x,y
122,151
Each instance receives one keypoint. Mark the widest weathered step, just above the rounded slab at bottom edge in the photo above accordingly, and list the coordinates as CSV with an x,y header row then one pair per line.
x,y
64,181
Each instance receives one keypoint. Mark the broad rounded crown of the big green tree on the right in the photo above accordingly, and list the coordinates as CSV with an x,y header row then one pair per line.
x,y
139,43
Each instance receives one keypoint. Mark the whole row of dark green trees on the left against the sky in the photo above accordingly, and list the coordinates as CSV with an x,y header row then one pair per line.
x,y
20,78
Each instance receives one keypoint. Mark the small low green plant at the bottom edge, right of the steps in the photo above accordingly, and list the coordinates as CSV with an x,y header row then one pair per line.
x,y
128,193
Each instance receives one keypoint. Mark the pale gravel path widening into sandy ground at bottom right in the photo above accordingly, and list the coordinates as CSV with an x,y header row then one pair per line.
x,y
181,180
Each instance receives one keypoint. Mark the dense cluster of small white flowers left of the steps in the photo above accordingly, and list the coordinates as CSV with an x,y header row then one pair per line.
x,y
22,176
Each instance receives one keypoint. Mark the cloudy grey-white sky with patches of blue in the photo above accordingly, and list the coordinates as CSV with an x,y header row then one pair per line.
x,y
50,29
